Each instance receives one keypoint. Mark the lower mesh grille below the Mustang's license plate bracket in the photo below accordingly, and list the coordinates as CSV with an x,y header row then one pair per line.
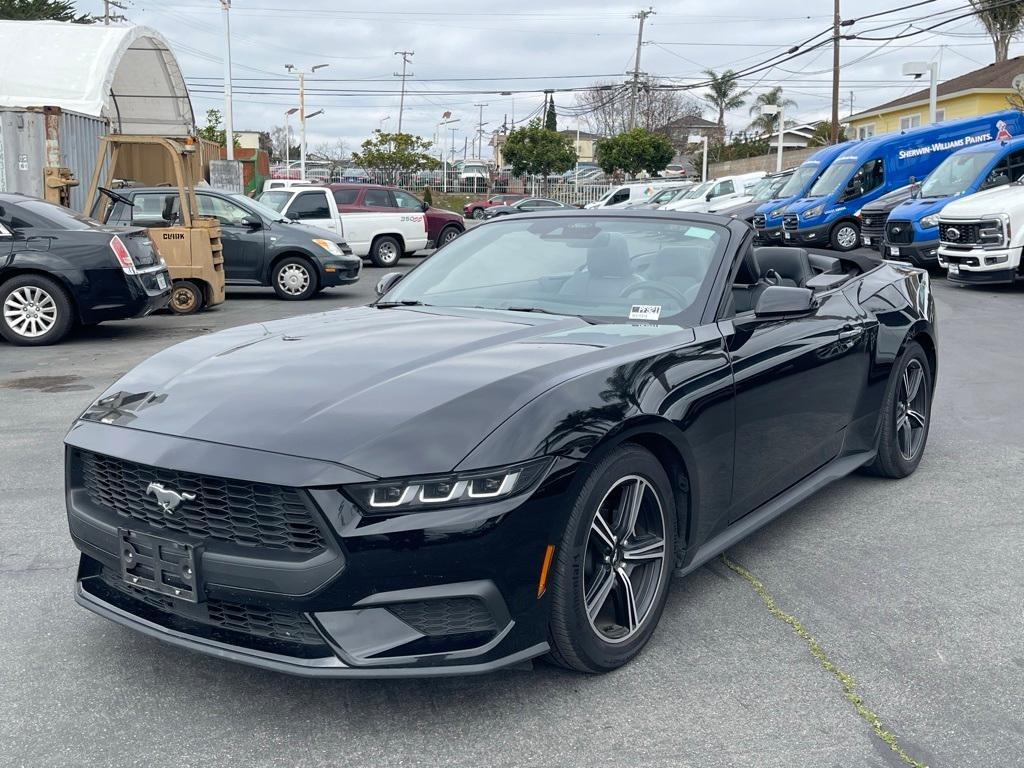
x,y
248,620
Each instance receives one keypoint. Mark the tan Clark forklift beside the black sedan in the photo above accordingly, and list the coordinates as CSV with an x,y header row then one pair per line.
x,y
189,243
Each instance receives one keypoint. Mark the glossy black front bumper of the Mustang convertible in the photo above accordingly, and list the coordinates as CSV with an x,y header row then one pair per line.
x,y
447,592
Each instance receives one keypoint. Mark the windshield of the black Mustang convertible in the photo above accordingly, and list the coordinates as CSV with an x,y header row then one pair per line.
x,y
592,268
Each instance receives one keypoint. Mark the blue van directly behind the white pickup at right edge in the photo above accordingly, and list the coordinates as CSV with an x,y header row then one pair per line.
x,y
913,231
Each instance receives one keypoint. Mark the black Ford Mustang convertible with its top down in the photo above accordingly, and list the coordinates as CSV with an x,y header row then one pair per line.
x,y
509,455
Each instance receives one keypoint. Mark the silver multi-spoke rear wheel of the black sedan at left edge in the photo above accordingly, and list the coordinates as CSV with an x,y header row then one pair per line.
x,y
35,312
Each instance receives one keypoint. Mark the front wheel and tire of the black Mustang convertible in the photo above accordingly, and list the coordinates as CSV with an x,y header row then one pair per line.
x,y
592,629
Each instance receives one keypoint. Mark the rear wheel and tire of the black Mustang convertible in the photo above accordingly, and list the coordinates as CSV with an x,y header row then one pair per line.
x,y
904,436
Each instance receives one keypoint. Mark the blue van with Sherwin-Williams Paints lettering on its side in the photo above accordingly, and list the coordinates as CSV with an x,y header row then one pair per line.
x,y
867,170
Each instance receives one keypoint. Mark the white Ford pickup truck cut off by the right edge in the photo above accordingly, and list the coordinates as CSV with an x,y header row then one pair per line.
x,y
982,237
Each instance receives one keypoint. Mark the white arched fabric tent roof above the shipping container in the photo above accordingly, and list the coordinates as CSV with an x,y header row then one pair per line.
x,y
124,75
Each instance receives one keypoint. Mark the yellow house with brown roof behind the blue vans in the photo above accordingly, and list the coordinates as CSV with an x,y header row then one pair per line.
x,y
978,93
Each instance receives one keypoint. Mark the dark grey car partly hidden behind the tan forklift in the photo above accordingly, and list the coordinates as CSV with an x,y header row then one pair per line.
x,y
262,247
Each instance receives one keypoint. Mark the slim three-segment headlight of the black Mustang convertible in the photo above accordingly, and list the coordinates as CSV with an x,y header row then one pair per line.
x,y
453,490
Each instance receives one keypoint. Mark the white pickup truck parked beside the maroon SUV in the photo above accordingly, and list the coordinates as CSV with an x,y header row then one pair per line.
x,y
382,238
